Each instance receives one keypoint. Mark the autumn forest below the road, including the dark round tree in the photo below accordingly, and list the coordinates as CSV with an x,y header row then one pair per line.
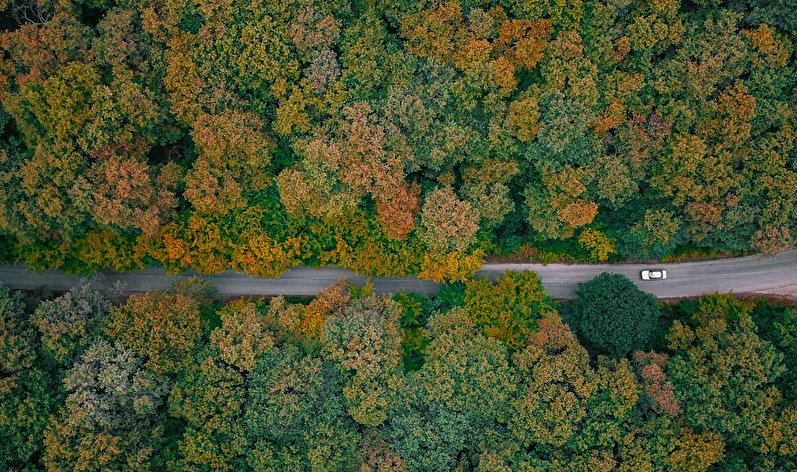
x,y
483,377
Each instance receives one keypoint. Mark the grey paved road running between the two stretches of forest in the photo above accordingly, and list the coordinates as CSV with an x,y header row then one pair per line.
x,y
741,275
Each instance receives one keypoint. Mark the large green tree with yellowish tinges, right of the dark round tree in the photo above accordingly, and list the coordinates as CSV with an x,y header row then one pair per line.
x,y
723,372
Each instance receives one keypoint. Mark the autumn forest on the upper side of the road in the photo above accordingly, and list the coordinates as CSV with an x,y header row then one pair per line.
x,y
393,137
